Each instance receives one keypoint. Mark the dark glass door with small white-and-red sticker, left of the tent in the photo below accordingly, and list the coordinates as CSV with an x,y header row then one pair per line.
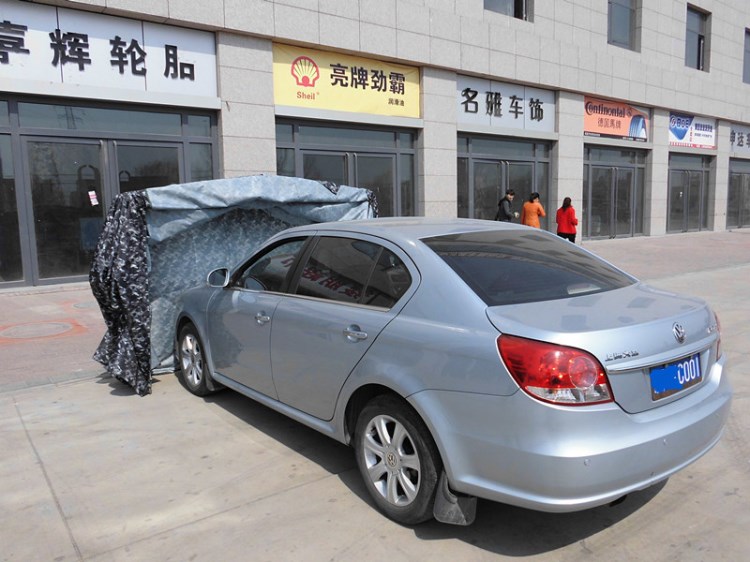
x,y
67,205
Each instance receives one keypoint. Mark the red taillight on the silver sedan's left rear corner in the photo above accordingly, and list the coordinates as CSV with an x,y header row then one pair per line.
x,y
554,373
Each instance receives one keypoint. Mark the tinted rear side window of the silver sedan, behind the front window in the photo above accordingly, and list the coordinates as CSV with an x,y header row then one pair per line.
x,y
354,271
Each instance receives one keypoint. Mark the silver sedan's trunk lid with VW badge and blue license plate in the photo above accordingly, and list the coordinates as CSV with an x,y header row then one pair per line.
x,y
656,346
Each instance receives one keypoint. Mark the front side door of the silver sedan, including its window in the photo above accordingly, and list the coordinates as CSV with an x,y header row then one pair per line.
x,y
241,316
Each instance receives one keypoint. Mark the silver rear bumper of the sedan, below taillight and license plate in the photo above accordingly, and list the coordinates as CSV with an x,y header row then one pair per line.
x,y
517,450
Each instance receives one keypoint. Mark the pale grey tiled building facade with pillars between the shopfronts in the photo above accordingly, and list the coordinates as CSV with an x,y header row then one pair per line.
x,y
563,48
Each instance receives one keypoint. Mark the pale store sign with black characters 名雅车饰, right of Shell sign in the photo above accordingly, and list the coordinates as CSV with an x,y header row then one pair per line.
x,y
502,105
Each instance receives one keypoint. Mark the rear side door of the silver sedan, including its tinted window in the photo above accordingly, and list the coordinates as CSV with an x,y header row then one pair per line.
x,y
345,294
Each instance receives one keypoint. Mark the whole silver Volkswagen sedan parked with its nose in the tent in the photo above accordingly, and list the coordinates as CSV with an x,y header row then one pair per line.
x,y
464,359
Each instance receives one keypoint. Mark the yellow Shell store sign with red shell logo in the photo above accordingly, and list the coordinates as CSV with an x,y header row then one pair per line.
x,y
331,81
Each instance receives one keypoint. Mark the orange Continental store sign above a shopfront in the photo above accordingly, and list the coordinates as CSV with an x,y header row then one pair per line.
x,y
616,120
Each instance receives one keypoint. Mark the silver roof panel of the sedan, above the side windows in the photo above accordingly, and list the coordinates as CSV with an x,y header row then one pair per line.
x,y
409,228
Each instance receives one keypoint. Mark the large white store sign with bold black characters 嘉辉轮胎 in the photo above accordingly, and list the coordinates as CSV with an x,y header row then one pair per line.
x,y
49,50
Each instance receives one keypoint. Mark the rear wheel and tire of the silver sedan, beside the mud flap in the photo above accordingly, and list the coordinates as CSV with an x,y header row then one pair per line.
x,y
398,459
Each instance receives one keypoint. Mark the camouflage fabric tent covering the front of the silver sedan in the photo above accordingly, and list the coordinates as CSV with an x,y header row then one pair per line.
x,y
159,242
